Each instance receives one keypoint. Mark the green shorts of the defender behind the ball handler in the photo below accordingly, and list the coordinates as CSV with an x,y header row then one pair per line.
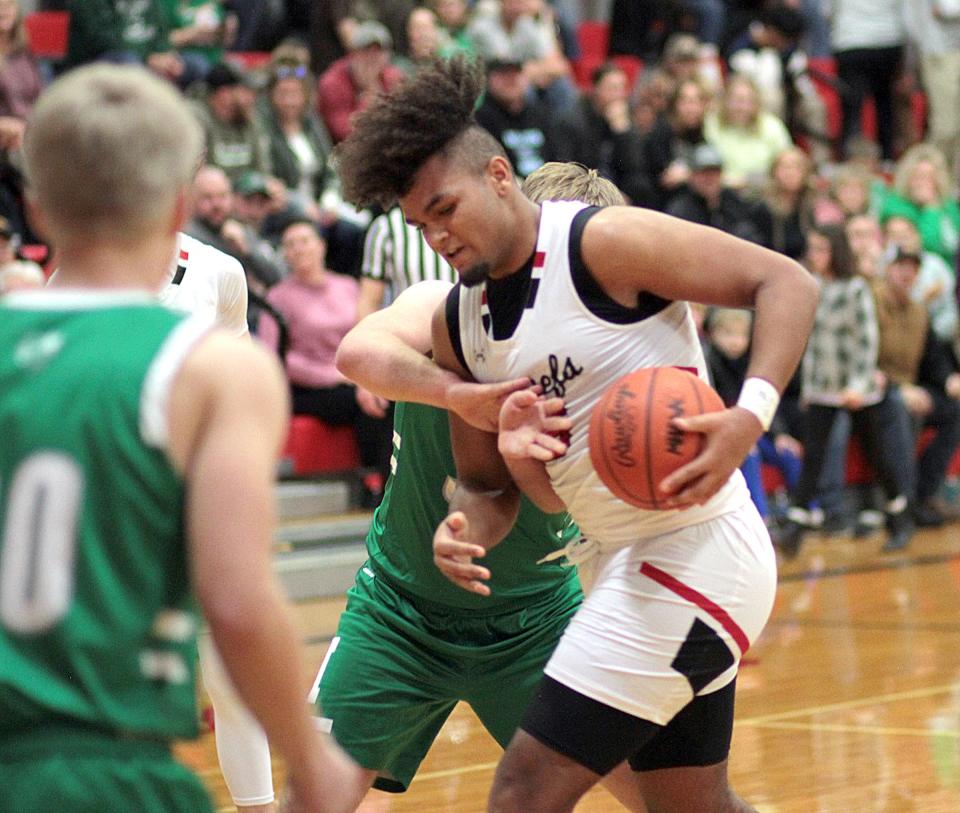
x,y
399,665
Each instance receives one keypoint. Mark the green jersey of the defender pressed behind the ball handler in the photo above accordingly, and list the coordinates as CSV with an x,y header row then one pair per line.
x,y
400,542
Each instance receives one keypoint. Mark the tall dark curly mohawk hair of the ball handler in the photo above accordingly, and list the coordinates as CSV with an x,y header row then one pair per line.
x,y
399,132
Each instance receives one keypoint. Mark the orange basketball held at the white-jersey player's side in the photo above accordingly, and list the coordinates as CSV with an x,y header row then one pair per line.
x,y
633,445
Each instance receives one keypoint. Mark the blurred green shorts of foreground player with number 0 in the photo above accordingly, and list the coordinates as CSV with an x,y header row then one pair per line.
x,y
89,772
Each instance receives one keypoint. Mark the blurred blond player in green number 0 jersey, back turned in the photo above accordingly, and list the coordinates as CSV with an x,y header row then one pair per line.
x,y
136,472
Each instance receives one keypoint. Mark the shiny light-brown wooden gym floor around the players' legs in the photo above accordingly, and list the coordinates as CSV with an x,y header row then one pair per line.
x,y
849,702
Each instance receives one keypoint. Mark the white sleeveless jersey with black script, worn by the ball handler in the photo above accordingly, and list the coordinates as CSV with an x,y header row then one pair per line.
x,y
573,353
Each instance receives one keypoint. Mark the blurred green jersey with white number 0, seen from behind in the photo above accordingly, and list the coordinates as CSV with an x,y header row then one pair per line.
x,y
97,624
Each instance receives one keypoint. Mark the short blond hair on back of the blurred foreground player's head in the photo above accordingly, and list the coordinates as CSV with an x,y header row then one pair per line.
x,y
107,150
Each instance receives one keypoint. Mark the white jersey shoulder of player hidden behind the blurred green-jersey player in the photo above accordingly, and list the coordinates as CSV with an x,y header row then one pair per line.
x,y
208,283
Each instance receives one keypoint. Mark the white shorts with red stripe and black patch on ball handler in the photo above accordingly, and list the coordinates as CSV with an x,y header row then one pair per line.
x,y
670,617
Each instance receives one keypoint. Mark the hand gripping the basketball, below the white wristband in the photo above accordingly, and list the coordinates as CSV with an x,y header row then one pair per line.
x,y
729,437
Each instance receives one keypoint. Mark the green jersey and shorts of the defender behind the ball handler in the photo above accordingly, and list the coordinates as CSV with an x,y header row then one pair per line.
x,y
410,644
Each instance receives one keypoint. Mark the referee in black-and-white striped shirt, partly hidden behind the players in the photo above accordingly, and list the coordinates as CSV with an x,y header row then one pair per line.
x,y
396,254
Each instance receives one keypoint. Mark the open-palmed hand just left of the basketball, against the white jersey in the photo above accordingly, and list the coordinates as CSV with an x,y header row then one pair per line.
x,y
530,426
